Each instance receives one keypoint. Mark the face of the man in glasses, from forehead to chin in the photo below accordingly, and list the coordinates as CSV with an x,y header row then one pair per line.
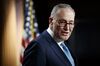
x,y
63,24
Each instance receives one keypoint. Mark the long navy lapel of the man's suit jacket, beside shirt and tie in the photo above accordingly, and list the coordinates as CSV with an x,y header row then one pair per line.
x,y
56,48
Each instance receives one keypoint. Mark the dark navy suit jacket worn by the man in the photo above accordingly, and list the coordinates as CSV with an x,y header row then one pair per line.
x,y
44,51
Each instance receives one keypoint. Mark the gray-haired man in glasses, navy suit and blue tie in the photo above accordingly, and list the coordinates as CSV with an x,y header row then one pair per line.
x,y
49,49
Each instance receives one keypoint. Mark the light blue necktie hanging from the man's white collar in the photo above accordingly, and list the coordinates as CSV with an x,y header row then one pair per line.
x,y
67,53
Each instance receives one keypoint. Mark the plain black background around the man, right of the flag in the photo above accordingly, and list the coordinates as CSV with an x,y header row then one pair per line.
x,y
85,37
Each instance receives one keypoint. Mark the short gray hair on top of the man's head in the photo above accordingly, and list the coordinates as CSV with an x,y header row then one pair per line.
x,y
55,8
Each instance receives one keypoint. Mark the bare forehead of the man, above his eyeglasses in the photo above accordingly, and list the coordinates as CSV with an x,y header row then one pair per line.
x,y
65,13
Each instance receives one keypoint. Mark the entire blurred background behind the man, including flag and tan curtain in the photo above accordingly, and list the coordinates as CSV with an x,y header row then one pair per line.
x,y
14,15
